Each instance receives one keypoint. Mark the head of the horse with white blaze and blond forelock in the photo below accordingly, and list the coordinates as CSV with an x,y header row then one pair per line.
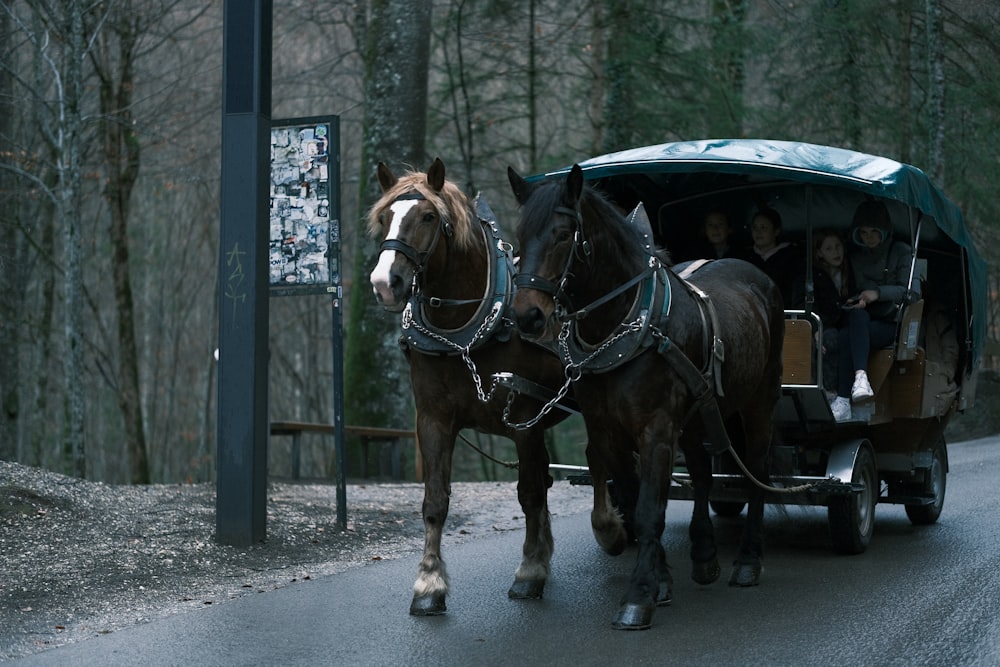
x,y
409,219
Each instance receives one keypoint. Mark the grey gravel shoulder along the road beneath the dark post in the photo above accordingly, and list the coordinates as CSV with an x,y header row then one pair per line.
x,y
80,559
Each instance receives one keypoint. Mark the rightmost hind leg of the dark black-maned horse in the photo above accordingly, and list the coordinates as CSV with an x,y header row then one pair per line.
x,y
749,559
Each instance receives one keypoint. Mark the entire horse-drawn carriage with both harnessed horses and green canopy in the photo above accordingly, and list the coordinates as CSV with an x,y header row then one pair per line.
x,y
663,360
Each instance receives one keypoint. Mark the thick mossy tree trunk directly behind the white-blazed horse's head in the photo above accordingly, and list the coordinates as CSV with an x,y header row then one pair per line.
x,y
397,53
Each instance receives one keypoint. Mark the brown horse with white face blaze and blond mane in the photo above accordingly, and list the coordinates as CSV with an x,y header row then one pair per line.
x,y
443,263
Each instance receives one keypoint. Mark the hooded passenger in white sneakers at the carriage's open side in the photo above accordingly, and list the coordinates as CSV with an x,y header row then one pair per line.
x,y
881,269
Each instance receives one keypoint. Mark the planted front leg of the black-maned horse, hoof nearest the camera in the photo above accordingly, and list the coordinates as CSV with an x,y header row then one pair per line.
x,y
651,583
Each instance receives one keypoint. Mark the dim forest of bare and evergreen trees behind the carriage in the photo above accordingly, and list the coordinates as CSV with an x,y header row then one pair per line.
x,y
110,118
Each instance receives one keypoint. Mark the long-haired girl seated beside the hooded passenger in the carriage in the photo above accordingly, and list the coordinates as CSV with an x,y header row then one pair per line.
x,y
832,284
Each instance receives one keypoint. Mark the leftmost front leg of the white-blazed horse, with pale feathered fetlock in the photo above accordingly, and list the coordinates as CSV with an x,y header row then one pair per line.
x,y
431,587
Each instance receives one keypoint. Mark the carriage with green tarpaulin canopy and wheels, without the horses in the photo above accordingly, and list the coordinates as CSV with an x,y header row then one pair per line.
x,y
895,451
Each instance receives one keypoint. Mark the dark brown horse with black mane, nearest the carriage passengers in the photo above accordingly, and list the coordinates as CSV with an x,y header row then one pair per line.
x,y
647,347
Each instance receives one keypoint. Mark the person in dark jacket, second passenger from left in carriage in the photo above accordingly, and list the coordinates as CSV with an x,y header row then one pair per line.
x,y
782,261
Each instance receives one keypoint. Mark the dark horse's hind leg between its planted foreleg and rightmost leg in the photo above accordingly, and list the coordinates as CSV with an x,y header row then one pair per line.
x,y
705,567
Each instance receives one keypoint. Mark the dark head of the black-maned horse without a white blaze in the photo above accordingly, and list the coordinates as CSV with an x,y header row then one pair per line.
x,y
550,236
